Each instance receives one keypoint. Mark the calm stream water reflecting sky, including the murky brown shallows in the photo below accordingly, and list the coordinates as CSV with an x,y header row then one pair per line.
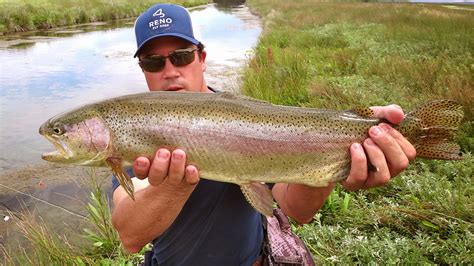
x,y
45,73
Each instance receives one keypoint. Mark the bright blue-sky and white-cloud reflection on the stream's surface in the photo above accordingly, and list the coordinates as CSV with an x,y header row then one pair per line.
x,y
44,74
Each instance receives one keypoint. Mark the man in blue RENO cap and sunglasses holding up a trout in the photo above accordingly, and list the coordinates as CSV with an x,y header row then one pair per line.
x,y
203,222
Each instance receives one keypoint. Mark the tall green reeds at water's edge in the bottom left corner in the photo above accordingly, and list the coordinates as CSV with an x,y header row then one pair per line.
x,y
101,245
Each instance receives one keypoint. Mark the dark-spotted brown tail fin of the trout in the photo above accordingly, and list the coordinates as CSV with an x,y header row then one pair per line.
x,y
431,129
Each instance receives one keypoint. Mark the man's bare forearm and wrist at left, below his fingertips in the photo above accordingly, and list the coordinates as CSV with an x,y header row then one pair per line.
x,y
155,208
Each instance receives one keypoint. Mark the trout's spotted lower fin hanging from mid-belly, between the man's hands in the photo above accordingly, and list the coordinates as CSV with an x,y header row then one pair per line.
x,y
259,196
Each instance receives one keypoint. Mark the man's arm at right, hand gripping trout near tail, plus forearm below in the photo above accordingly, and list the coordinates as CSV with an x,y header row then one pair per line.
x,y
386,149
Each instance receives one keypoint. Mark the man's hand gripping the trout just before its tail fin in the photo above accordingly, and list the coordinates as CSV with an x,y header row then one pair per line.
x,y
386,149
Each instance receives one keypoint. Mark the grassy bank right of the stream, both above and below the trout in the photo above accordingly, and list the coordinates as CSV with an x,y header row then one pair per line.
x,y
343,55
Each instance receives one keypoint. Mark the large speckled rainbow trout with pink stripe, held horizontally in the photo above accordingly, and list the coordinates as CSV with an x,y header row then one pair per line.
x,y
237,139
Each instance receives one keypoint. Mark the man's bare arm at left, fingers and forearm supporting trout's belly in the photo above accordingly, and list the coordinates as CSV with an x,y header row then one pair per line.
x,y
156,204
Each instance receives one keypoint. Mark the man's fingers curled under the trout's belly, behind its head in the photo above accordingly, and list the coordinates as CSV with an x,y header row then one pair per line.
x,y
166,164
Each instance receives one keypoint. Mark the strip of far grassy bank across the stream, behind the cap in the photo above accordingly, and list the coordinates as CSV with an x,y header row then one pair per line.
x,y
24,15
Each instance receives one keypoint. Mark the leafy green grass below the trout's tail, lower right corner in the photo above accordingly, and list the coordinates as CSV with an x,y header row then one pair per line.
x,y
423,216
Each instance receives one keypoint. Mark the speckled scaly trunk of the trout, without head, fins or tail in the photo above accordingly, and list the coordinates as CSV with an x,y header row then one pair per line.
x,y
292,142
